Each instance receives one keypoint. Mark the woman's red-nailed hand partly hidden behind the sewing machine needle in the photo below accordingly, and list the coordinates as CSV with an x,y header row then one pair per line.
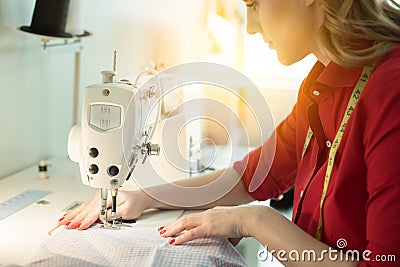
x,y
130,205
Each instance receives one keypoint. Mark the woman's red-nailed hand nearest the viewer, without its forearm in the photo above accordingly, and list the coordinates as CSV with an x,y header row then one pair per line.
x,y
230,222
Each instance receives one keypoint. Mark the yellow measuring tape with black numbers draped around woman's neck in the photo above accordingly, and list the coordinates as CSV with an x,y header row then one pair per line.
x,y
332,153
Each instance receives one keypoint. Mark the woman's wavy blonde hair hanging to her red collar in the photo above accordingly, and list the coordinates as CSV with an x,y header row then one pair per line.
x,y
351,27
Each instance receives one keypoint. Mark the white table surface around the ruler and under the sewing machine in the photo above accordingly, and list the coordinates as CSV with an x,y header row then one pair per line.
x,y
23,232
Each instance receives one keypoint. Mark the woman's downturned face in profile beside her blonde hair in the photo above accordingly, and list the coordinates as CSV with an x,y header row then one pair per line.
x,y
288,26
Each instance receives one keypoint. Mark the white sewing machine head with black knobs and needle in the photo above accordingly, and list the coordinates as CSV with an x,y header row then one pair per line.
x,y
118,121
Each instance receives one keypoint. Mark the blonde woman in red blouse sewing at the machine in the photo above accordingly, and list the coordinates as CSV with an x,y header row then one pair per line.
x,y
338,146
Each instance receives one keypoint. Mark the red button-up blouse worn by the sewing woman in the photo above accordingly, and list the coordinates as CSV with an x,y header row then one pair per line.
x,y
362,204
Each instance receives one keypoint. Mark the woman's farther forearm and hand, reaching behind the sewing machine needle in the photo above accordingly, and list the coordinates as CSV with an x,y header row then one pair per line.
x,y
225,187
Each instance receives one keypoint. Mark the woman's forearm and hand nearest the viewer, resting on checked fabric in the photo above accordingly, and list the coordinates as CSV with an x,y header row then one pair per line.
x,y
286,241
